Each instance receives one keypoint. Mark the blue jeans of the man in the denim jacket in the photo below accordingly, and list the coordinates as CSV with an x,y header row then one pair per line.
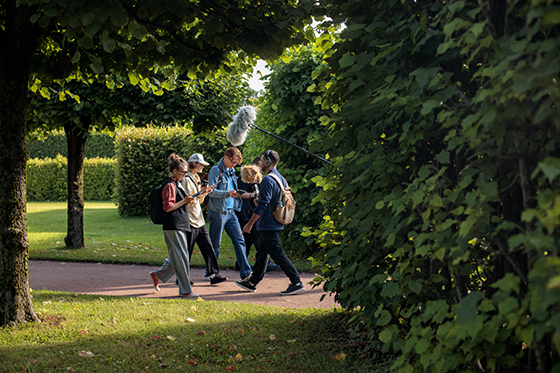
x,y
229,223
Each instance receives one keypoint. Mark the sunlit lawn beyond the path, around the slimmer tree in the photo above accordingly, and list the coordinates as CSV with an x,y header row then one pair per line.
x,y
110,238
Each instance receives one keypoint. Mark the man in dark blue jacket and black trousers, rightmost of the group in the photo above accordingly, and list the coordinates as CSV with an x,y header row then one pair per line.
x,y
269,229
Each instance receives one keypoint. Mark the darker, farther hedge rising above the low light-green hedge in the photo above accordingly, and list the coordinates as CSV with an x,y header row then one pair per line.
x,y
48,145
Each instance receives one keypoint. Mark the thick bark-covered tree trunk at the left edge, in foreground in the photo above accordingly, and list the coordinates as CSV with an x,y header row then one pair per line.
x,y
18,41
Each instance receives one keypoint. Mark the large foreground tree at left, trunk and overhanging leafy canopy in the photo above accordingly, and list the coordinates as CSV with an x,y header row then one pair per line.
x,y
67,40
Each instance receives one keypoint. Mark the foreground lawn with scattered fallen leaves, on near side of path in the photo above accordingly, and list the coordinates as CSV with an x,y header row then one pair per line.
x,y
86,333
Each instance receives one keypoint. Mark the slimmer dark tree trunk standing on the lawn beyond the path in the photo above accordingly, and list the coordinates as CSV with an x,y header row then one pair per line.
x,y
76,142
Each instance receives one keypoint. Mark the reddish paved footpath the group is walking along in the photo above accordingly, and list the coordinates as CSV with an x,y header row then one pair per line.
x,y
134,281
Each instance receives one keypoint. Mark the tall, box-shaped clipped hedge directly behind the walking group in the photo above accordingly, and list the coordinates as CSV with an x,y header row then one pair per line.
x,y
142,155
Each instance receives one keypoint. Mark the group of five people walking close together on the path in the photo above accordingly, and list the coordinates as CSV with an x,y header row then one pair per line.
x,y
184,223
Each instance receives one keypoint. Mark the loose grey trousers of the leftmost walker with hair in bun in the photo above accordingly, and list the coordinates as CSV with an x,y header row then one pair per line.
x,y
178,262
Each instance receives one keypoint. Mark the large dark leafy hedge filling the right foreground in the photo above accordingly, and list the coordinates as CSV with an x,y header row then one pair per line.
x,y
443,201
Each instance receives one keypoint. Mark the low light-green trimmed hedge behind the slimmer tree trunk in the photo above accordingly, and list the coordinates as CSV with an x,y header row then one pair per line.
x,y
46,179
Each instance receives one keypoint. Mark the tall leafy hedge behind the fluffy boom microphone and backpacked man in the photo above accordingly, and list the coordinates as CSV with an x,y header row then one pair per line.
x,y
287,110
